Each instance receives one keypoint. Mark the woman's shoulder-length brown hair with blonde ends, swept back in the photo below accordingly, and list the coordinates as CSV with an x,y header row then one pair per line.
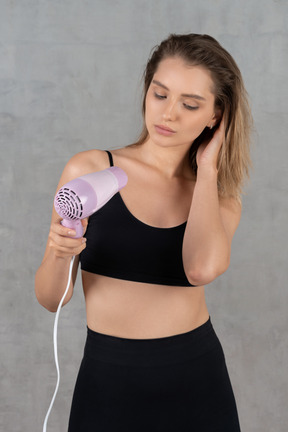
x,y
230,96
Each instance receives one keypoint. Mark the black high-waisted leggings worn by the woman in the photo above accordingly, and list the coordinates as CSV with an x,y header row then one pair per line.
x,y
175,383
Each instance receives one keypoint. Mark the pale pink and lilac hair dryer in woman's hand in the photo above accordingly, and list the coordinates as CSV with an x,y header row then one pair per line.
x,y
84,195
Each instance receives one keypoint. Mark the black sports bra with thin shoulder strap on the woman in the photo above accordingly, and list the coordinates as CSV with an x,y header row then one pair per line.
x,y
121,246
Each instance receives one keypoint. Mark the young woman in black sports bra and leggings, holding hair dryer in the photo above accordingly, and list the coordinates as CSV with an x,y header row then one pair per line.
x,y
152,360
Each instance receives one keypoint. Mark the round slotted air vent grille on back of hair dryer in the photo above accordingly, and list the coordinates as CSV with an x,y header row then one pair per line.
x,y
68,204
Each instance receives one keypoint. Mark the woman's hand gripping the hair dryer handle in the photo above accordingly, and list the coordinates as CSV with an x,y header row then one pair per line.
x,y
61,240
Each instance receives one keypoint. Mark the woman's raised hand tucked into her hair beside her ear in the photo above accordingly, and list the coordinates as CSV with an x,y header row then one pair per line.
x,y
207,153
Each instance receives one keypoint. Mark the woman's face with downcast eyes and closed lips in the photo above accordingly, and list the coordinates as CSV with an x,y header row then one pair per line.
x,y
179,103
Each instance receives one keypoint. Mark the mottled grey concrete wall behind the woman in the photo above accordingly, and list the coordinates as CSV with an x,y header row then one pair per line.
x,y
68,70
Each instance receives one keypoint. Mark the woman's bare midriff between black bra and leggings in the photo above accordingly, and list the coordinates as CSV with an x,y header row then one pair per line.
x,y
138,310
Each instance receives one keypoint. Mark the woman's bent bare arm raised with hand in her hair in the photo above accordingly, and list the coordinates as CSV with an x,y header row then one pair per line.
x,y
212,221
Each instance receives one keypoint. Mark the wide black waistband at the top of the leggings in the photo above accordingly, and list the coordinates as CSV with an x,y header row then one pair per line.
x,y
161,351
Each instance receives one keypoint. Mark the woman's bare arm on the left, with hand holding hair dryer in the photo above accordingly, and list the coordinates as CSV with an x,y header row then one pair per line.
x,y
52,275
